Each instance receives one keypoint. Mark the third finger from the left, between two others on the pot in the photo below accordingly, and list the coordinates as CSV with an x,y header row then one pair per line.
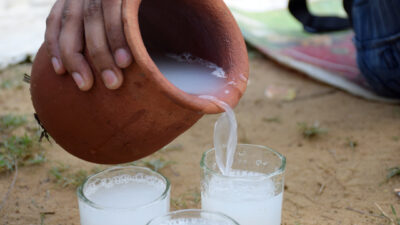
x,y
97,45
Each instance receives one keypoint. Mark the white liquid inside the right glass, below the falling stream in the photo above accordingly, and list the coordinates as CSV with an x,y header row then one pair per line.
x,y
250,201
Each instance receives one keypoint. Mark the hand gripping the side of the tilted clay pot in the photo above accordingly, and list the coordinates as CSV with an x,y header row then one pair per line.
x,y
96,25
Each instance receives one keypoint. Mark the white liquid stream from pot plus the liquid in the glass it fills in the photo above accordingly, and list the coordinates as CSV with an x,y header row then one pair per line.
x,y
248,197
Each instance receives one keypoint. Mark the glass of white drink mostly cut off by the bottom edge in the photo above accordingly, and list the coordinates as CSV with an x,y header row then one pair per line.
x,y
193,217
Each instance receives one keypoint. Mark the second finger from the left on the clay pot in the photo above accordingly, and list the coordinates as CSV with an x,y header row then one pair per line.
x,y
71,44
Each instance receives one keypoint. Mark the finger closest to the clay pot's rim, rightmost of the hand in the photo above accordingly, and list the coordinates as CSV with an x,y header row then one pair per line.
x,y
112,10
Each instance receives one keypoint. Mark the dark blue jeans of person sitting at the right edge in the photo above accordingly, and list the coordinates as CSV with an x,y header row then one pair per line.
x,y
376,25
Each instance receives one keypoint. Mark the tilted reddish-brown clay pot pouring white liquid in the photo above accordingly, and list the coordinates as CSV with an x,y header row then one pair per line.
x,y
147,112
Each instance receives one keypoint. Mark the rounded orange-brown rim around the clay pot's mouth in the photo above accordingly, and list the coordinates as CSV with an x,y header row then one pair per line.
x,y
143,59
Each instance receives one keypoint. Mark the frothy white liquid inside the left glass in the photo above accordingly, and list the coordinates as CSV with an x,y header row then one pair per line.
x,y
124,200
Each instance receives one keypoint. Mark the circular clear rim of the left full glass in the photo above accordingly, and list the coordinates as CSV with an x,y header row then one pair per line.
x,y
82,196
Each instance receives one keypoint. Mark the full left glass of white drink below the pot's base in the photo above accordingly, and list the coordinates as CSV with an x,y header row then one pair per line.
x,y
122,196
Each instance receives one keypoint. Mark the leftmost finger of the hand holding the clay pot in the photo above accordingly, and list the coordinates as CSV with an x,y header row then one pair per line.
x,y
53,29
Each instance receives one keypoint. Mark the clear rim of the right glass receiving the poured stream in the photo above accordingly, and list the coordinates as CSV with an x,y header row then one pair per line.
x,y
280,170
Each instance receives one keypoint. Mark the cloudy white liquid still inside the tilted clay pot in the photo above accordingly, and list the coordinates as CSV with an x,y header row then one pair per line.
x,y
190,74
